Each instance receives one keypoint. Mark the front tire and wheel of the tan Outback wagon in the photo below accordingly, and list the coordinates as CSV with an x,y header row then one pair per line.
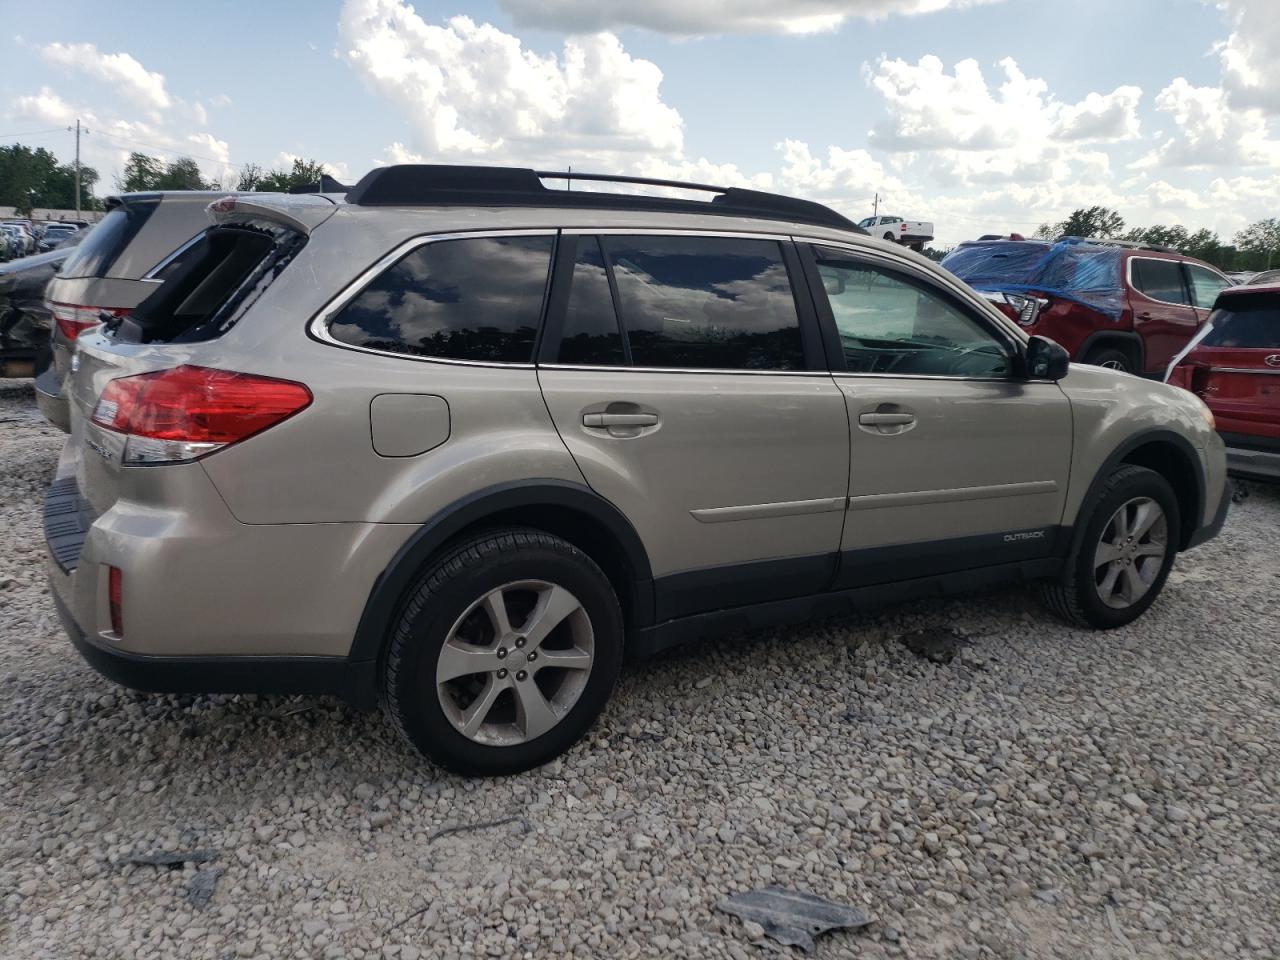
x,y
1124,556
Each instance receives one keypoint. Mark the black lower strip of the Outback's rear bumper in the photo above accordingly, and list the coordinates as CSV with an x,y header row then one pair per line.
x,y
355,682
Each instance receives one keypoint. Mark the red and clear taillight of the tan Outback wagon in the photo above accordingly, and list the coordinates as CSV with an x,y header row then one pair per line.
x,y
189,412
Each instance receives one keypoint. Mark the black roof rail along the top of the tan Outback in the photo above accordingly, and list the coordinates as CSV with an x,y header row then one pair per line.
x,y
445,185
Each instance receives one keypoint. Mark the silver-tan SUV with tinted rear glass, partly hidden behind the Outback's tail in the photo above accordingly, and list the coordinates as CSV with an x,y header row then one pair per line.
x,y
141,241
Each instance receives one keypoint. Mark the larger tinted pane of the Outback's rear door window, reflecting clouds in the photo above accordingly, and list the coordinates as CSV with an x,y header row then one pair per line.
x,y
707,303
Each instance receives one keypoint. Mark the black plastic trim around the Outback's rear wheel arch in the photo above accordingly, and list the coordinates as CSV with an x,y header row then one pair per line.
x,y
394,583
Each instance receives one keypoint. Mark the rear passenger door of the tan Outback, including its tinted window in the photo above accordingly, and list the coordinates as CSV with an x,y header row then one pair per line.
x,y
688,381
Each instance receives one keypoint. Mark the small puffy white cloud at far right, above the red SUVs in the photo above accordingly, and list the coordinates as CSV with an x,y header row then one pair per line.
x,y
1210,131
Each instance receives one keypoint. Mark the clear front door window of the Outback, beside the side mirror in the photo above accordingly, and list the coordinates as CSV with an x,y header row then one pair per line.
x,y
890,324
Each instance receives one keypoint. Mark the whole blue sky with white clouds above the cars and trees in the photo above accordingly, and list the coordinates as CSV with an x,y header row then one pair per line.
x,y
981,116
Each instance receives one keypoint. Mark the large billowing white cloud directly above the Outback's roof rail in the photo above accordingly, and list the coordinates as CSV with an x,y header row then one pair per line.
x,y
472,90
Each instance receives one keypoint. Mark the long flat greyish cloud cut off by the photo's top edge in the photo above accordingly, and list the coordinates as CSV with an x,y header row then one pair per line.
x,y
712,17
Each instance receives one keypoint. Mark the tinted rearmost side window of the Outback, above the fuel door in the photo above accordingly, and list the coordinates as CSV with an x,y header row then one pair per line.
x,y
477,299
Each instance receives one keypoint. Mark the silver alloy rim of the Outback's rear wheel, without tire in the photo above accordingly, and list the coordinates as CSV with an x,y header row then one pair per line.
x,y
515,662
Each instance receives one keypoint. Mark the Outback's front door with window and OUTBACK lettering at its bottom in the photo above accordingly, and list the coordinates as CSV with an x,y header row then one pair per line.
x,y
954,463
